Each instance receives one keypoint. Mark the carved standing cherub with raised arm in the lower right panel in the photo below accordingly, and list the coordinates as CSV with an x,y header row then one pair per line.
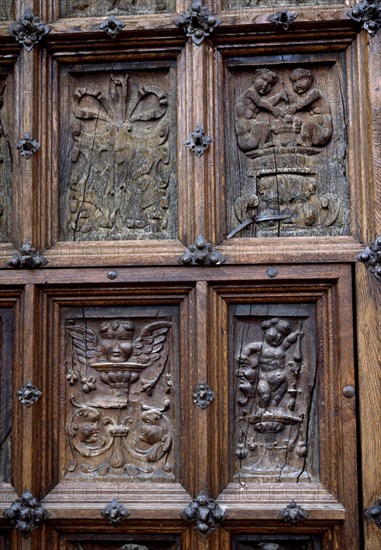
x,y
265,361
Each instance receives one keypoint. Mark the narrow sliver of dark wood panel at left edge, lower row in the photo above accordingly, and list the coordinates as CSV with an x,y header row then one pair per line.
x,y
6,340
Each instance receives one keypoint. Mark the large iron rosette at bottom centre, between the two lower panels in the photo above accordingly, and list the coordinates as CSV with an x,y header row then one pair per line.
x,y
205,514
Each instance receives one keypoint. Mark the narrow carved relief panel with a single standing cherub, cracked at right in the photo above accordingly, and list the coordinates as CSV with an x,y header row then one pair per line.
x,y
275,416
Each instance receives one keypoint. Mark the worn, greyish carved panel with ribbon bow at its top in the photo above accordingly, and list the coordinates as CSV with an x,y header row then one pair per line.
x,y
118,165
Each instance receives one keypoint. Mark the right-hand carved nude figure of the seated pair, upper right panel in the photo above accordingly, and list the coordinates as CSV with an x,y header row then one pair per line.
x,y
318,129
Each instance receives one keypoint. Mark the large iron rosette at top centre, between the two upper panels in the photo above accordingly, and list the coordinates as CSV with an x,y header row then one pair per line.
x,y
198,22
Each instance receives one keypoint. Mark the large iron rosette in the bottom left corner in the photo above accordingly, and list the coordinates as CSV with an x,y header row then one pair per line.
x,y
26,513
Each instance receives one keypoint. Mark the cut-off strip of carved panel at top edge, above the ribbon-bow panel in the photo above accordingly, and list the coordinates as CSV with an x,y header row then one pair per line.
x,y
89,8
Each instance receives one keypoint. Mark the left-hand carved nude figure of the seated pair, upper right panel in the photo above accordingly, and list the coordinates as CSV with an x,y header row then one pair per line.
x,y
252,133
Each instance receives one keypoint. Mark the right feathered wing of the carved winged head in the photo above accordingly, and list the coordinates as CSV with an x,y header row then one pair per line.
x,y
148,345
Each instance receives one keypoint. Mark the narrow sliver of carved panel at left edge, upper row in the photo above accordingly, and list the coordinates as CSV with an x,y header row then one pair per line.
x,y
6,152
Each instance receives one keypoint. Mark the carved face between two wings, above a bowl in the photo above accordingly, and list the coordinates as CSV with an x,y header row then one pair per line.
x,y
115,341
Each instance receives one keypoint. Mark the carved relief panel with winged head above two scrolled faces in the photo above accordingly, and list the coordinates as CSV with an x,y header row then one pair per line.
x,y
120,421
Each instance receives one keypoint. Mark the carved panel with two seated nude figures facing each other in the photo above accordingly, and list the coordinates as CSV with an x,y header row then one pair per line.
x,y
286,147
